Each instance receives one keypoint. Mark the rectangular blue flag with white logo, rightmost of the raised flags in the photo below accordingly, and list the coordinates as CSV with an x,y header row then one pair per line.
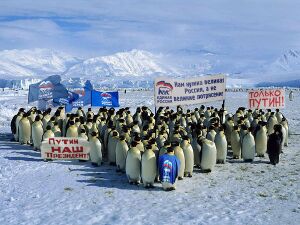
x,y
109,99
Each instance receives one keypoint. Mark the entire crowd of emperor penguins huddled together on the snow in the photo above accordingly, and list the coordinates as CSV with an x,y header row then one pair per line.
x,y
136,143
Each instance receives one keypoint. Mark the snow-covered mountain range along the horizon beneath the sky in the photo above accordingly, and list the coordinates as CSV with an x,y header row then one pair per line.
x,y
137,68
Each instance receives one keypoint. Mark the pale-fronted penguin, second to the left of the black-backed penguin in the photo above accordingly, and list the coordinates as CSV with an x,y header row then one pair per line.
x,y
248,147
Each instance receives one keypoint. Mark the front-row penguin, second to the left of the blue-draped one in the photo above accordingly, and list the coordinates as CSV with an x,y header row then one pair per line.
x,y
133,164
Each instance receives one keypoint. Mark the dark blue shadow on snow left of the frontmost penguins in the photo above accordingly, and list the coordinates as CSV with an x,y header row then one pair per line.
x,y
106,176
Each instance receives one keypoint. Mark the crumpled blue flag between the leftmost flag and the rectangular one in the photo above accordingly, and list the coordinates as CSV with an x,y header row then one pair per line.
x,y
84,96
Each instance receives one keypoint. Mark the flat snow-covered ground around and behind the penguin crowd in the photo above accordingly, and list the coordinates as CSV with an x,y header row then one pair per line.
x,y
67,192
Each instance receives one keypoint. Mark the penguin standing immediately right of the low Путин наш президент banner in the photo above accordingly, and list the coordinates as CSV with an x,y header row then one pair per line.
x,y
95,150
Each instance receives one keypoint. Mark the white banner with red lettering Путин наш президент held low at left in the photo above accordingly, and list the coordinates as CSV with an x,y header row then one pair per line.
x,y
63,148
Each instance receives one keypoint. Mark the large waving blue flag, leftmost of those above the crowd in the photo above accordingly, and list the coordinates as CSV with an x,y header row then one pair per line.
x,y
47,89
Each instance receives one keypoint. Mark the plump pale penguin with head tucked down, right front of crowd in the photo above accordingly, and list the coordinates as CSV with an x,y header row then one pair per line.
x,y
209,155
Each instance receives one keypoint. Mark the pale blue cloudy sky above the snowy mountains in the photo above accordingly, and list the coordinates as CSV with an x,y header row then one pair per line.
x,y
254,29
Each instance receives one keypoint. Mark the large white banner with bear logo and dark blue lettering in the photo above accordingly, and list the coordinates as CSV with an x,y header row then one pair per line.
x,y
170,92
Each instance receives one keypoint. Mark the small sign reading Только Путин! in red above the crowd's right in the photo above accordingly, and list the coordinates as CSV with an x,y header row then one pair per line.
x,y
266,99
